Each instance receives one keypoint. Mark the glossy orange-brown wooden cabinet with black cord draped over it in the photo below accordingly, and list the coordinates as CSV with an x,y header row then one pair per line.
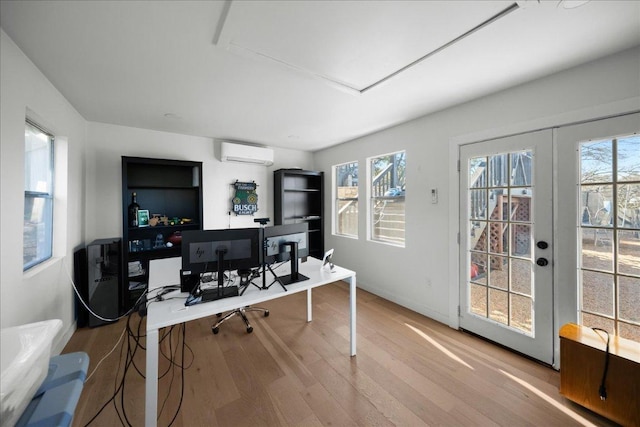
x,y
582,359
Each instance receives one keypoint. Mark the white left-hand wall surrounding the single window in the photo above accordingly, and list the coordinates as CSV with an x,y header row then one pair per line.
x,y
44,292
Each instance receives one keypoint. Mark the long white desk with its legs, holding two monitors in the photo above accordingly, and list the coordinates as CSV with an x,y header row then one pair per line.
x,y
173,311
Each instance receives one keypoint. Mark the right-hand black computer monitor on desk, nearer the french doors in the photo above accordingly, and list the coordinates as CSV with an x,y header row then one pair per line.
x,y
287,242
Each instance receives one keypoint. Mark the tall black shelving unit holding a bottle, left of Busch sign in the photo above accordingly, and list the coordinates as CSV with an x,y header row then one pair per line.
x,y
171,188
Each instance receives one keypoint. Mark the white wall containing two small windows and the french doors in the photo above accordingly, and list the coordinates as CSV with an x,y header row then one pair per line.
x,y
423,275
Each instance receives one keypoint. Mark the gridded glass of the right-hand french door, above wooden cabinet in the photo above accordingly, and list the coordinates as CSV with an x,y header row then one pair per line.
x,y
609,233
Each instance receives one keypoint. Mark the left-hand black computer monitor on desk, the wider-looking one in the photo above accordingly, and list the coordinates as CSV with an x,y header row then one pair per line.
x,y
220,250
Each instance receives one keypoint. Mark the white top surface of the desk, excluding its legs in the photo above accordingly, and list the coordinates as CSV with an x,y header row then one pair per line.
x,y
172,311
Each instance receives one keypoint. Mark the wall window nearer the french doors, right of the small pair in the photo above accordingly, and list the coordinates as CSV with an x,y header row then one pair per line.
x,y
387,198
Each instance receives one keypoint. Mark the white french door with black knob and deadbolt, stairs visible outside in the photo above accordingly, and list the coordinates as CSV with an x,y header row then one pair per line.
x,y
506,236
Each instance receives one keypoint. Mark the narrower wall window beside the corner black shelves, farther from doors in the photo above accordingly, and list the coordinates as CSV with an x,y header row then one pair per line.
x,y
346,208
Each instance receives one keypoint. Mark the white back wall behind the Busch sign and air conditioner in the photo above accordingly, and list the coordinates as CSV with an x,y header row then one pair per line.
x,y
108,143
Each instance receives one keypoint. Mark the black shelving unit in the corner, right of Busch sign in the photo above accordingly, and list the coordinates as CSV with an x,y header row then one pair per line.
x,y
299,197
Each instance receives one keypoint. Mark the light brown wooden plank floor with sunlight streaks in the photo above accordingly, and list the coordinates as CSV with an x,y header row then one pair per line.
x,y
409,371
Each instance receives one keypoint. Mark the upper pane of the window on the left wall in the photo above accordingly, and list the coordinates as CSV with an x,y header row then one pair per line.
x,y
38,161
